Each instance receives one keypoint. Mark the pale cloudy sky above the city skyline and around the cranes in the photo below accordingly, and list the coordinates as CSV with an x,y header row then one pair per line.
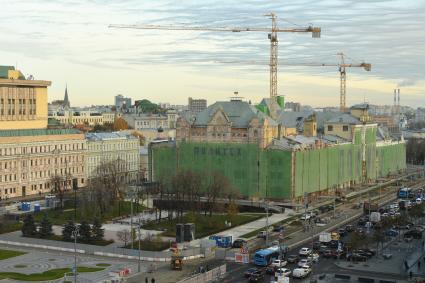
x,y
70,43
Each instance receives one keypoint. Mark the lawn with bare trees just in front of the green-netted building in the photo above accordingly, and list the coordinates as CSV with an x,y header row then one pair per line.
x,y
204,225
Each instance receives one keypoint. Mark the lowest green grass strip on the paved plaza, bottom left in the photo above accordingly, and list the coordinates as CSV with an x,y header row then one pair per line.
x,y
51,274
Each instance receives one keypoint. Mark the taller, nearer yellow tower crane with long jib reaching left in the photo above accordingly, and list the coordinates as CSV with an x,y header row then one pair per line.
x,y
272,36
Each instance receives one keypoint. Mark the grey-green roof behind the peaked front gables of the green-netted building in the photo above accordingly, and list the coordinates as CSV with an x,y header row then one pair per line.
x,y
240,113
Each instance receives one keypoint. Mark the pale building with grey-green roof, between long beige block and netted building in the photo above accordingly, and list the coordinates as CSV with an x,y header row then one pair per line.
x,y
120,148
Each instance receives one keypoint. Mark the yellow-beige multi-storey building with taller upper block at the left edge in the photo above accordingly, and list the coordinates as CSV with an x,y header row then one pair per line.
x,y
31,154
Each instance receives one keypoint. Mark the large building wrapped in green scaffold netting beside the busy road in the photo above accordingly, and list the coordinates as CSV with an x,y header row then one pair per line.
x,y
267,152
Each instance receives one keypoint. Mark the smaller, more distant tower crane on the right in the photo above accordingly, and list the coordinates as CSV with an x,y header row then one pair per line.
x,y
341,68
